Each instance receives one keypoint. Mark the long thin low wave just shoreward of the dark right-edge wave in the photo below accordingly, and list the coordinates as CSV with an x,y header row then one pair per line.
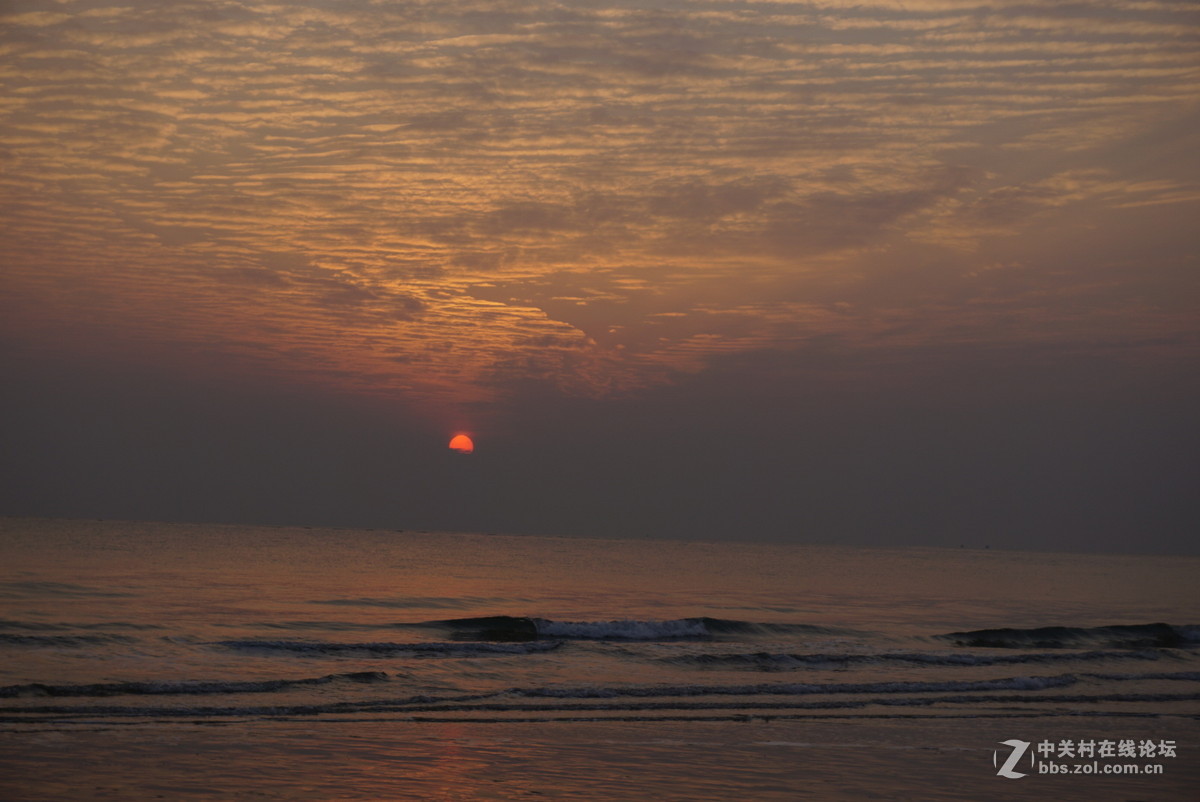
x,y
785,662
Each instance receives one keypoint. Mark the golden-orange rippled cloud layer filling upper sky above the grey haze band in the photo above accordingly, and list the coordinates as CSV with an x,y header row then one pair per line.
x,y
437,200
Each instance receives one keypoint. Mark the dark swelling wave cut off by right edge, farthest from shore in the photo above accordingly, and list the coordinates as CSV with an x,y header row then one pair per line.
x,y
1113,637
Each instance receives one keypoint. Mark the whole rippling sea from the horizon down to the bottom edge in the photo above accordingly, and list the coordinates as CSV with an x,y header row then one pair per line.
x,y
184,662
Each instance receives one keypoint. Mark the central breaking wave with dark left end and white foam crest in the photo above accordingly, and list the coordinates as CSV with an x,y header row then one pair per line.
x,y
526,629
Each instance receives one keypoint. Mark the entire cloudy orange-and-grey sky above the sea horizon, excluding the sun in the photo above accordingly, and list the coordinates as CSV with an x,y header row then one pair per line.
x,y
883,273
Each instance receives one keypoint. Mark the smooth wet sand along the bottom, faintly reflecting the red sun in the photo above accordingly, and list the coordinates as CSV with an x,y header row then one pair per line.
x,y
830,759
